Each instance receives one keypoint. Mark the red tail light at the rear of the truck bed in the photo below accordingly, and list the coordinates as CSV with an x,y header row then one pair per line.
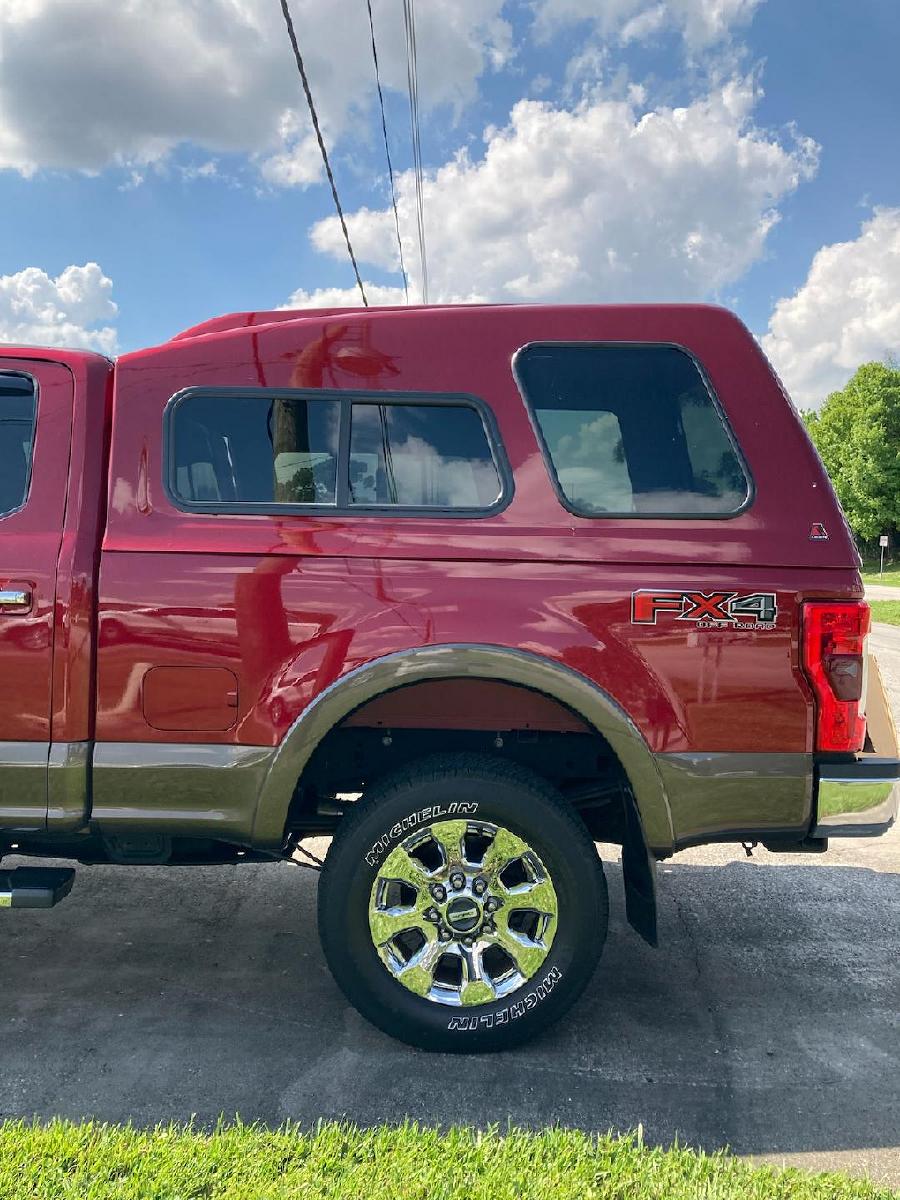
x,y
835,661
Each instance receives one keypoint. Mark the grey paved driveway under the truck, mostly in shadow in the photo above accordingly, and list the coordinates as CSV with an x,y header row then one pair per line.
x,y
767,1021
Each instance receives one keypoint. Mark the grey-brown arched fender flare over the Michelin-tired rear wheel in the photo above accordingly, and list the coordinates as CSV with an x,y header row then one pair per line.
x,y
465,662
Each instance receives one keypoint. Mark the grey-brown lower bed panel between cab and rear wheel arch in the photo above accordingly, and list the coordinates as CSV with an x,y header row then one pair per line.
x,y
184,790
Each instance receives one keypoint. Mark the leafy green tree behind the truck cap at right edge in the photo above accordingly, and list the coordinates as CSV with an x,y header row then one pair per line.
x,y
857,434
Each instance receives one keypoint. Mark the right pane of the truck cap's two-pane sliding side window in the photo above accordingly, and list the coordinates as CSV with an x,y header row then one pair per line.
x,y
422,457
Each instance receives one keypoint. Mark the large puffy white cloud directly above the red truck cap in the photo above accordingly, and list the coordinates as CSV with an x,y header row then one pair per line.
x,y
604,202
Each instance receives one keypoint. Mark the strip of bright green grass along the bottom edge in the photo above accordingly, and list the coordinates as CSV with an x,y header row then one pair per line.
x,y
97,1162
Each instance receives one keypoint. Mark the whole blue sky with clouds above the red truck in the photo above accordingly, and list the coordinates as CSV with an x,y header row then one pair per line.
x,y
734,151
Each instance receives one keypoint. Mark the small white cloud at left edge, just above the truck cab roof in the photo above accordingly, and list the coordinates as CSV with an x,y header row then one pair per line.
x,y
74,310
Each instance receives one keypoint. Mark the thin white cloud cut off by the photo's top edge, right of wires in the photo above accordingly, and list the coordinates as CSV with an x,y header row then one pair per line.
x,y
701,23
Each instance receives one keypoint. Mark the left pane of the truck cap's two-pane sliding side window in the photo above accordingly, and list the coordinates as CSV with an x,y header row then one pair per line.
x,y
256,449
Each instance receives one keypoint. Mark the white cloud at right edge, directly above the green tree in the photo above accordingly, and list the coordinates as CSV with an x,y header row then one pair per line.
x,y
848,313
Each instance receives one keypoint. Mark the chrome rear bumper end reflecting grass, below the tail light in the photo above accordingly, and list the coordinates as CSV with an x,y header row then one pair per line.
x,y
860,800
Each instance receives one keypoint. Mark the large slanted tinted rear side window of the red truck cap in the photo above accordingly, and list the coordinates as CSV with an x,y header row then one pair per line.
x,y
632,430
